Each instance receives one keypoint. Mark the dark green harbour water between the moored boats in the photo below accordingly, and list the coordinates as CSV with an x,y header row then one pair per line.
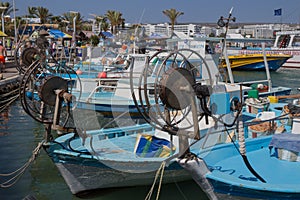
x,y
19,135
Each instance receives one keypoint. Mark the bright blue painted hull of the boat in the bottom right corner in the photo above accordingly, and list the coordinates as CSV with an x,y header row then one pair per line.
x,y
229,174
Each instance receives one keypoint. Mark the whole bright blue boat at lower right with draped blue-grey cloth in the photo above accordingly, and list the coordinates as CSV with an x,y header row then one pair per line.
x,y
273,157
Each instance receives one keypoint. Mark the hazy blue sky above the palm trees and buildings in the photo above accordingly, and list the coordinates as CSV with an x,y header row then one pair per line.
x,y
195,11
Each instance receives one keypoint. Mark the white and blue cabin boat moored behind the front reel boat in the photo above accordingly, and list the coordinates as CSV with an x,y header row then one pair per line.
x,y
106,94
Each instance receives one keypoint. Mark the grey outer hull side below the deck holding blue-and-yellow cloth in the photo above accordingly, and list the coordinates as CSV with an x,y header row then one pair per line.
x,y
82,178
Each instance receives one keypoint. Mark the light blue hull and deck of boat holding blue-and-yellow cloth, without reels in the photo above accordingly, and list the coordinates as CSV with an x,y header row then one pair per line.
x,y
108,159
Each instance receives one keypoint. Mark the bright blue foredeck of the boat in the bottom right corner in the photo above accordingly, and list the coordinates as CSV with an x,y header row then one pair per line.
x,y
281,176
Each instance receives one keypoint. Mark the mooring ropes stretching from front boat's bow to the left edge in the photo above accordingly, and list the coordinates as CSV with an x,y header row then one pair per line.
x,y
16,175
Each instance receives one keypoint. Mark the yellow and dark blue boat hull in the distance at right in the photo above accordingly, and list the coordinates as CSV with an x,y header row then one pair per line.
x,y
256,61
